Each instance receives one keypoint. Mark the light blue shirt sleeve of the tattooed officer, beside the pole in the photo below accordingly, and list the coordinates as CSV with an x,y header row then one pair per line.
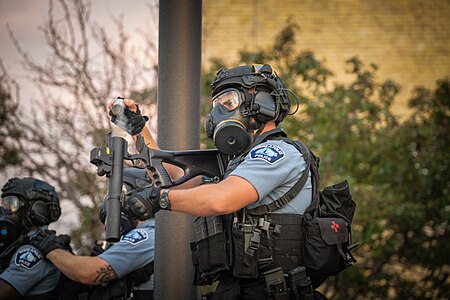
x,y
133,251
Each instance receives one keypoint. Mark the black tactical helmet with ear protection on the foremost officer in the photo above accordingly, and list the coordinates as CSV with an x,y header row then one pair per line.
x,y
272,105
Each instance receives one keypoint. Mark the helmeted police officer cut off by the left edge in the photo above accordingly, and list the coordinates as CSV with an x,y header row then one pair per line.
x,y
26,205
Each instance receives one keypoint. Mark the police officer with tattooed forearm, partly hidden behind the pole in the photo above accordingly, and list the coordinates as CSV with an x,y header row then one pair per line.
x,y
119,271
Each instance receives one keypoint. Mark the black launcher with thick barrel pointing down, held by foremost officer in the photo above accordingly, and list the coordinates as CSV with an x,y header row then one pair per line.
x,y
110,159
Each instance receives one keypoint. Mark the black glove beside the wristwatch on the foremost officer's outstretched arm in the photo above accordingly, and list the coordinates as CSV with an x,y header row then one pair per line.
x,y
142,203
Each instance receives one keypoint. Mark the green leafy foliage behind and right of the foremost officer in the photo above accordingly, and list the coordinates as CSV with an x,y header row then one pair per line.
x,y
398,171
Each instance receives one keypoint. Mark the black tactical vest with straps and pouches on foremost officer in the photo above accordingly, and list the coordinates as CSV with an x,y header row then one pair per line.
x,y
251,242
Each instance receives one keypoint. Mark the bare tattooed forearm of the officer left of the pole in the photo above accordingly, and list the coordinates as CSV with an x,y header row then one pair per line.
x,y
90,270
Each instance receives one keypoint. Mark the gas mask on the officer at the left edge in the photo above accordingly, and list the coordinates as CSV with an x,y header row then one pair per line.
x,y
11,215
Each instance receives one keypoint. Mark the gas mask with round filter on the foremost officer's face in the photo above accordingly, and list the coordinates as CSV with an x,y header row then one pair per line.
x,y
225,125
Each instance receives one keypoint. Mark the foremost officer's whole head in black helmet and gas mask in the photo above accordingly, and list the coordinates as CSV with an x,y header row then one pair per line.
x,y
244,99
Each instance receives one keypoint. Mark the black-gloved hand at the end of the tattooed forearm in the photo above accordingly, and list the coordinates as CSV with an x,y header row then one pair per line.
x,y
47,240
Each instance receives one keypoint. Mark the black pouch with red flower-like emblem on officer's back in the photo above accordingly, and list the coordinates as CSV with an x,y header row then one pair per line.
x,y
324,239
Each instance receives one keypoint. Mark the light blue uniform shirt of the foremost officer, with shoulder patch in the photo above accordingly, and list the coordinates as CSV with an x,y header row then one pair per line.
x,y
273,168
